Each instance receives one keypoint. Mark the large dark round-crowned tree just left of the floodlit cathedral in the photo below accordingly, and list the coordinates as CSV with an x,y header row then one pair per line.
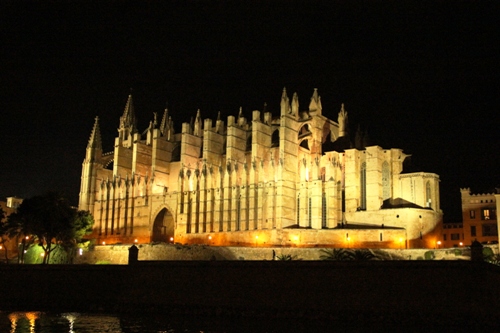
x,y
50,220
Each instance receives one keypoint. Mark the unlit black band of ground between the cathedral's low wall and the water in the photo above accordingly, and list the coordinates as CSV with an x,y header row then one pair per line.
x,y
413,292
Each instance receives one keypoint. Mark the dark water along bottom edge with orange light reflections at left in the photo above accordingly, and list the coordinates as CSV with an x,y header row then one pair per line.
x,y
44,322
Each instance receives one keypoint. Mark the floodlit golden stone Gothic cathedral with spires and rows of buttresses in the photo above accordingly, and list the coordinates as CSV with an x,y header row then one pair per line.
x,y
290,180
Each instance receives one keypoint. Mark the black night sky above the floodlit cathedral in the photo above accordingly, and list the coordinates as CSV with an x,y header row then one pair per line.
x,y
421,76
